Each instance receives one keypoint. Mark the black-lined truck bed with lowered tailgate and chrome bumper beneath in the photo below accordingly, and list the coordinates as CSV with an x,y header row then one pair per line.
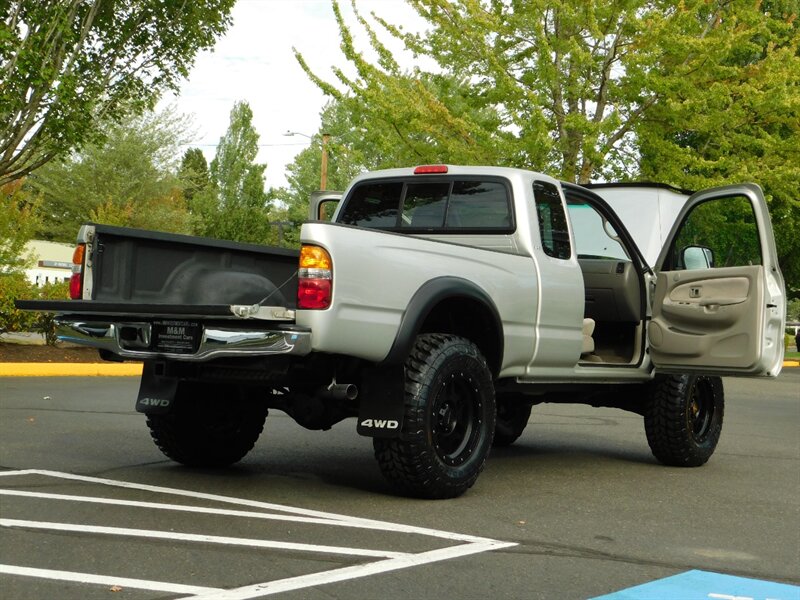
x,y
150,293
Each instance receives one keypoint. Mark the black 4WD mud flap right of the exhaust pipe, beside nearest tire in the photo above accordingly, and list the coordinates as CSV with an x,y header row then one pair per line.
x,y
381,402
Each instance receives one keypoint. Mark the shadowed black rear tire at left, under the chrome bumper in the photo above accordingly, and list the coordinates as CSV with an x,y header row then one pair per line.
x,y
208,426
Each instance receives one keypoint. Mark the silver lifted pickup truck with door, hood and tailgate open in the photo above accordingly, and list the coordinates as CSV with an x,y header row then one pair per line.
x,y
437,307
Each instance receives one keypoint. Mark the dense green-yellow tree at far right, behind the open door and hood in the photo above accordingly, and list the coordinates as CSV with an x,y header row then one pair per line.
x,y
735,115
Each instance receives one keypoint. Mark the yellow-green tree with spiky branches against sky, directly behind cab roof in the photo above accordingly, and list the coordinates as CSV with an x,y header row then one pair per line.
x,y
532,83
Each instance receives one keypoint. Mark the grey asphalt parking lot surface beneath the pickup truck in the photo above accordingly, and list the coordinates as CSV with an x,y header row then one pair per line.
x,y
577,508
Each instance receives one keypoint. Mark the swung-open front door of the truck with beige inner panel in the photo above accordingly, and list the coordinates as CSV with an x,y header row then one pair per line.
x,y
720,304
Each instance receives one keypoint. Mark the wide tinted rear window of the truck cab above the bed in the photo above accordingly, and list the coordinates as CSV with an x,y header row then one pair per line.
x,y
448,205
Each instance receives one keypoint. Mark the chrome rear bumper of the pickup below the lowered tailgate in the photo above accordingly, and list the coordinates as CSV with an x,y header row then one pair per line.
x,y
133,340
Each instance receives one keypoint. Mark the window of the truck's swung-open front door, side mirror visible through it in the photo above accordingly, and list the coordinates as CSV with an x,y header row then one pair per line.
x,y
719,233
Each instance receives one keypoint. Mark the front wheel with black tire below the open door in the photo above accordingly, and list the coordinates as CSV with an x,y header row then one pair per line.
x,y
683,419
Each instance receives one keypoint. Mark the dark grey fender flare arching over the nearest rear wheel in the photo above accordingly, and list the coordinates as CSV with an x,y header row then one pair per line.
x,y
429,295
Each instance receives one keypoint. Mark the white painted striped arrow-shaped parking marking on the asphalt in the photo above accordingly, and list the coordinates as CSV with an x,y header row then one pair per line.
x,y
391,561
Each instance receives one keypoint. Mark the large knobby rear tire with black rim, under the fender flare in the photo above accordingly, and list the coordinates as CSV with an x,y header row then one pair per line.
x,y
449,420
